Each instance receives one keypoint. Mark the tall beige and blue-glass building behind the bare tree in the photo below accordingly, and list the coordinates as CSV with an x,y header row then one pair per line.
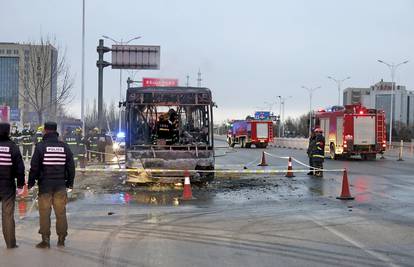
x,y
19,63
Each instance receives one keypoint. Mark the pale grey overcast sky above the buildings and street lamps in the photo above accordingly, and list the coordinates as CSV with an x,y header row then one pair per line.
x,y
248,51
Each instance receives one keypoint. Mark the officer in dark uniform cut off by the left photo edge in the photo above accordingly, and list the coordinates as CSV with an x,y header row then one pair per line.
x,y
11,167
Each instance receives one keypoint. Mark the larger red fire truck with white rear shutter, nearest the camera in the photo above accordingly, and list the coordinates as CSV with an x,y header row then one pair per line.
x,y
352,130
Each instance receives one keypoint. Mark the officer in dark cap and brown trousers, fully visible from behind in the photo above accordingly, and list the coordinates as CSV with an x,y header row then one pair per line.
x,y
53,167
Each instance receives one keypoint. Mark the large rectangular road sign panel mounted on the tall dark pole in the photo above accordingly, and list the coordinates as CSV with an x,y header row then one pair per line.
x,y
143,57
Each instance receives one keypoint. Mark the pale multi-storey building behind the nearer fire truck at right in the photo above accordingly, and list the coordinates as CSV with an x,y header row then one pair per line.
x,y
379,96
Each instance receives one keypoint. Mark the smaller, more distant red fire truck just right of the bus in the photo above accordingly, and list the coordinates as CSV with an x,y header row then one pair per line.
x,y
250,132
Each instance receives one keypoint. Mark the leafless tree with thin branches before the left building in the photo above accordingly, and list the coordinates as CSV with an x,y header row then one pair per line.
x,y
46,78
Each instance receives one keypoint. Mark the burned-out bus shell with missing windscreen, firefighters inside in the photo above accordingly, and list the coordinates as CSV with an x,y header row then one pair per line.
x,y
169,128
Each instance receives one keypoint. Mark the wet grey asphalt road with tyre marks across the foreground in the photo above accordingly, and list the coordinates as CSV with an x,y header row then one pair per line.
x,y
263,220
